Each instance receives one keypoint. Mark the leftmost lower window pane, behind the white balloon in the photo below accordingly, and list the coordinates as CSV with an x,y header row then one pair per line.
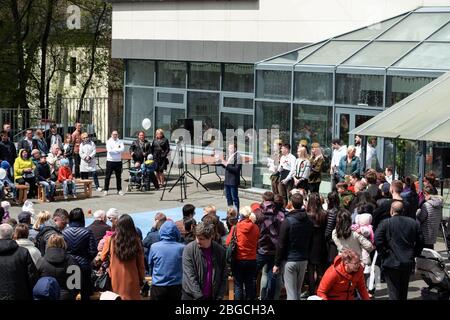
x,y
138,106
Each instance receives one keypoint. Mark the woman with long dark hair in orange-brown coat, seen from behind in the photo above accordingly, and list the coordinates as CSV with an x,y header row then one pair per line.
x,y
126,259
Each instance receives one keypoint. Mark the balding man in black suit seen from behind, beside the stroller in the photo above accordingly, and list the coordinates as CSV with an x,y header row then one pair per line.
x,y
398,240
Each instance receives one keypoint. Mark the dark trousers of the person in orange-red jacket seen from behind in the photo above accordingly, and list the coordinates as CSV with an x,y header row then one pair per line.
x,y
244,272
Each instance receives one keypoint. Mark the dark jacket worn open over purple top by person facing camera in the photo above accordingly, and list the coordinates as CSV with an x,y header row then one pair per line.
x,y
194,270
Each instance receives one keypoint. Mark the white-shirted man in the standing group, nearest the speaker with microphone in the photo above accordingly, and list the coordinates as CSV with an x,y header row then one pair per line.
x,y
286,169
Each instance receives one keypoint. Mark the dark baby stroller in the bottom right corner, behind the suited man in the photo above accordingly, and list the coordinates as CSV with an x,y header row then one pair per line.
x,y
431,267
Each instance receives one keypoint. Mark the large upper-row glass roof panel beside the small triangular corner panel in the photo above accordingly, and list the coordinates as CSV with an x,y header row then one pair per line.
x,y
416,27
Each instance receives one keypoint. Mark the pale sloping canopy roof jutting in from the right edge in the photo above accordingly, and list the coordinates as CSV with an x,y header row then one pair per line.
x,y
423,116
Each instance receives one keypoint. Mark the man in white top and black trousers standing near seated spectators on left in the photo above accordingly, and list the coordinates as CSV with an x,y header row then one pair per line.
x,y
114,148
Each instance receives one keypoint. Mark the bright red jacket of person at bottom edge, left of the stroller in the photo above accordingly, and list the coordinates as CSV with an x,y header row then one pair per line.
x,y
337,284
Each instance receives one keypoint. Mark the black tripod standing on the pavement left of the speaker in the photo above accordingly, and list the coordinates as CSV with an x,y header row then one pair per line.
x,y
184,173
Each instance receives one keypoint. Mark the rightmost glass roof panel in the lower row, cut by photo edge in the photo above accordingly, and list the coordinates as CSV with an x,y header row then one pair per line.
x,y
429,55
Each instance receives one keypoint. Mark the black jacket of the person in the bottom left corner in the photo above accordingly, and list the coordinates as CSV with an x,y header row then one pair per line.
x,y
17,272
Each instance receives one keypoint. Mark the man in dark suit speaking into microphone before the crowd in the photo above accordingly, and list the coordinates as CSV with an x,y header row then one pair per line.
x,y
233,167
